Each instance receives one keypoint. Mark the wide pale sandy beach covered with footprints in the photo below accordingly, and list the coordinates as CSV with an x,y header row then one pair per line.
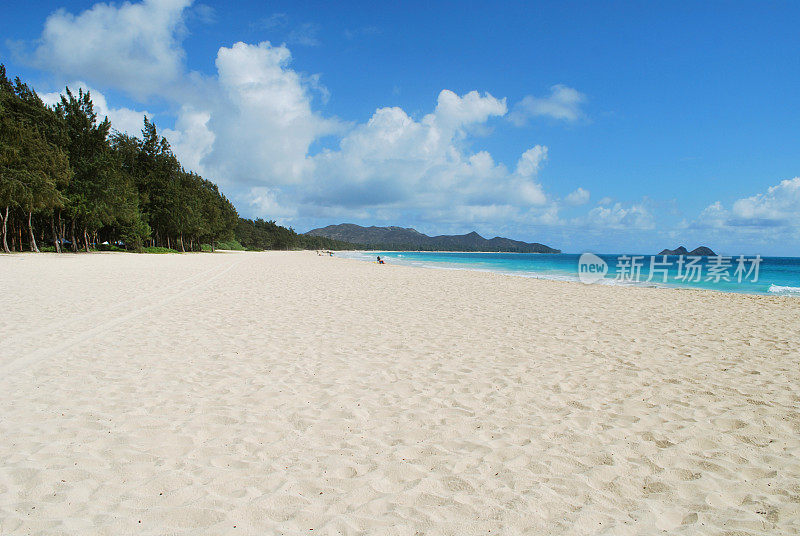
x,y
285,393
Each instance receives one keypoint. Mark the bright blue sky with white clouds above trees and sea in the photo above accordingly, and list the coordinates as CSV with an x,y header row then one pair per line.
x,y
585,125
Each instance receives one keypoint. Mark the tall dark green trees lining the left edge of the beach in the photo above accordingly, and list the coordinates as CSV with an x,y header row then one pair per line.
x,y
68,181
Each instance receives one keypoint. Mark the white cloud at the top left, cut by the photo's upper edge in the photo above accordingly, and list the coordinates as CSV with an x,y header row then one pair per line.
x,y
133,47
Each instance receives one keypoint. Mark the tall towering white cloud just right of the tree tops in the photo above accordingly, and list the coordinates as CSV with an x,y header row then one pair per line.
x,y
262,120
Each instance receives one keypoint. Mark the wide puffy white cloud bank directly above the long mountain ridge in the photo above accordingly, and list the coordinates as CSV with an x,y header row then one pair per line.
x,y
399,164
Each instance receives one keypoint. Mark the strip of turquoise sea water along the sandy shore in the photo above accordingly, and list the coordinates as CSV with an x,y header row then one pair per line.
x,y
775,275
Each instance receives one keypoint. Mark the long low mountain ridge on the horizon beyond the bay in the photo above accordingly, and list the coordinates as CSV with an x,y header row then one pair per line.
x,y
405,239
